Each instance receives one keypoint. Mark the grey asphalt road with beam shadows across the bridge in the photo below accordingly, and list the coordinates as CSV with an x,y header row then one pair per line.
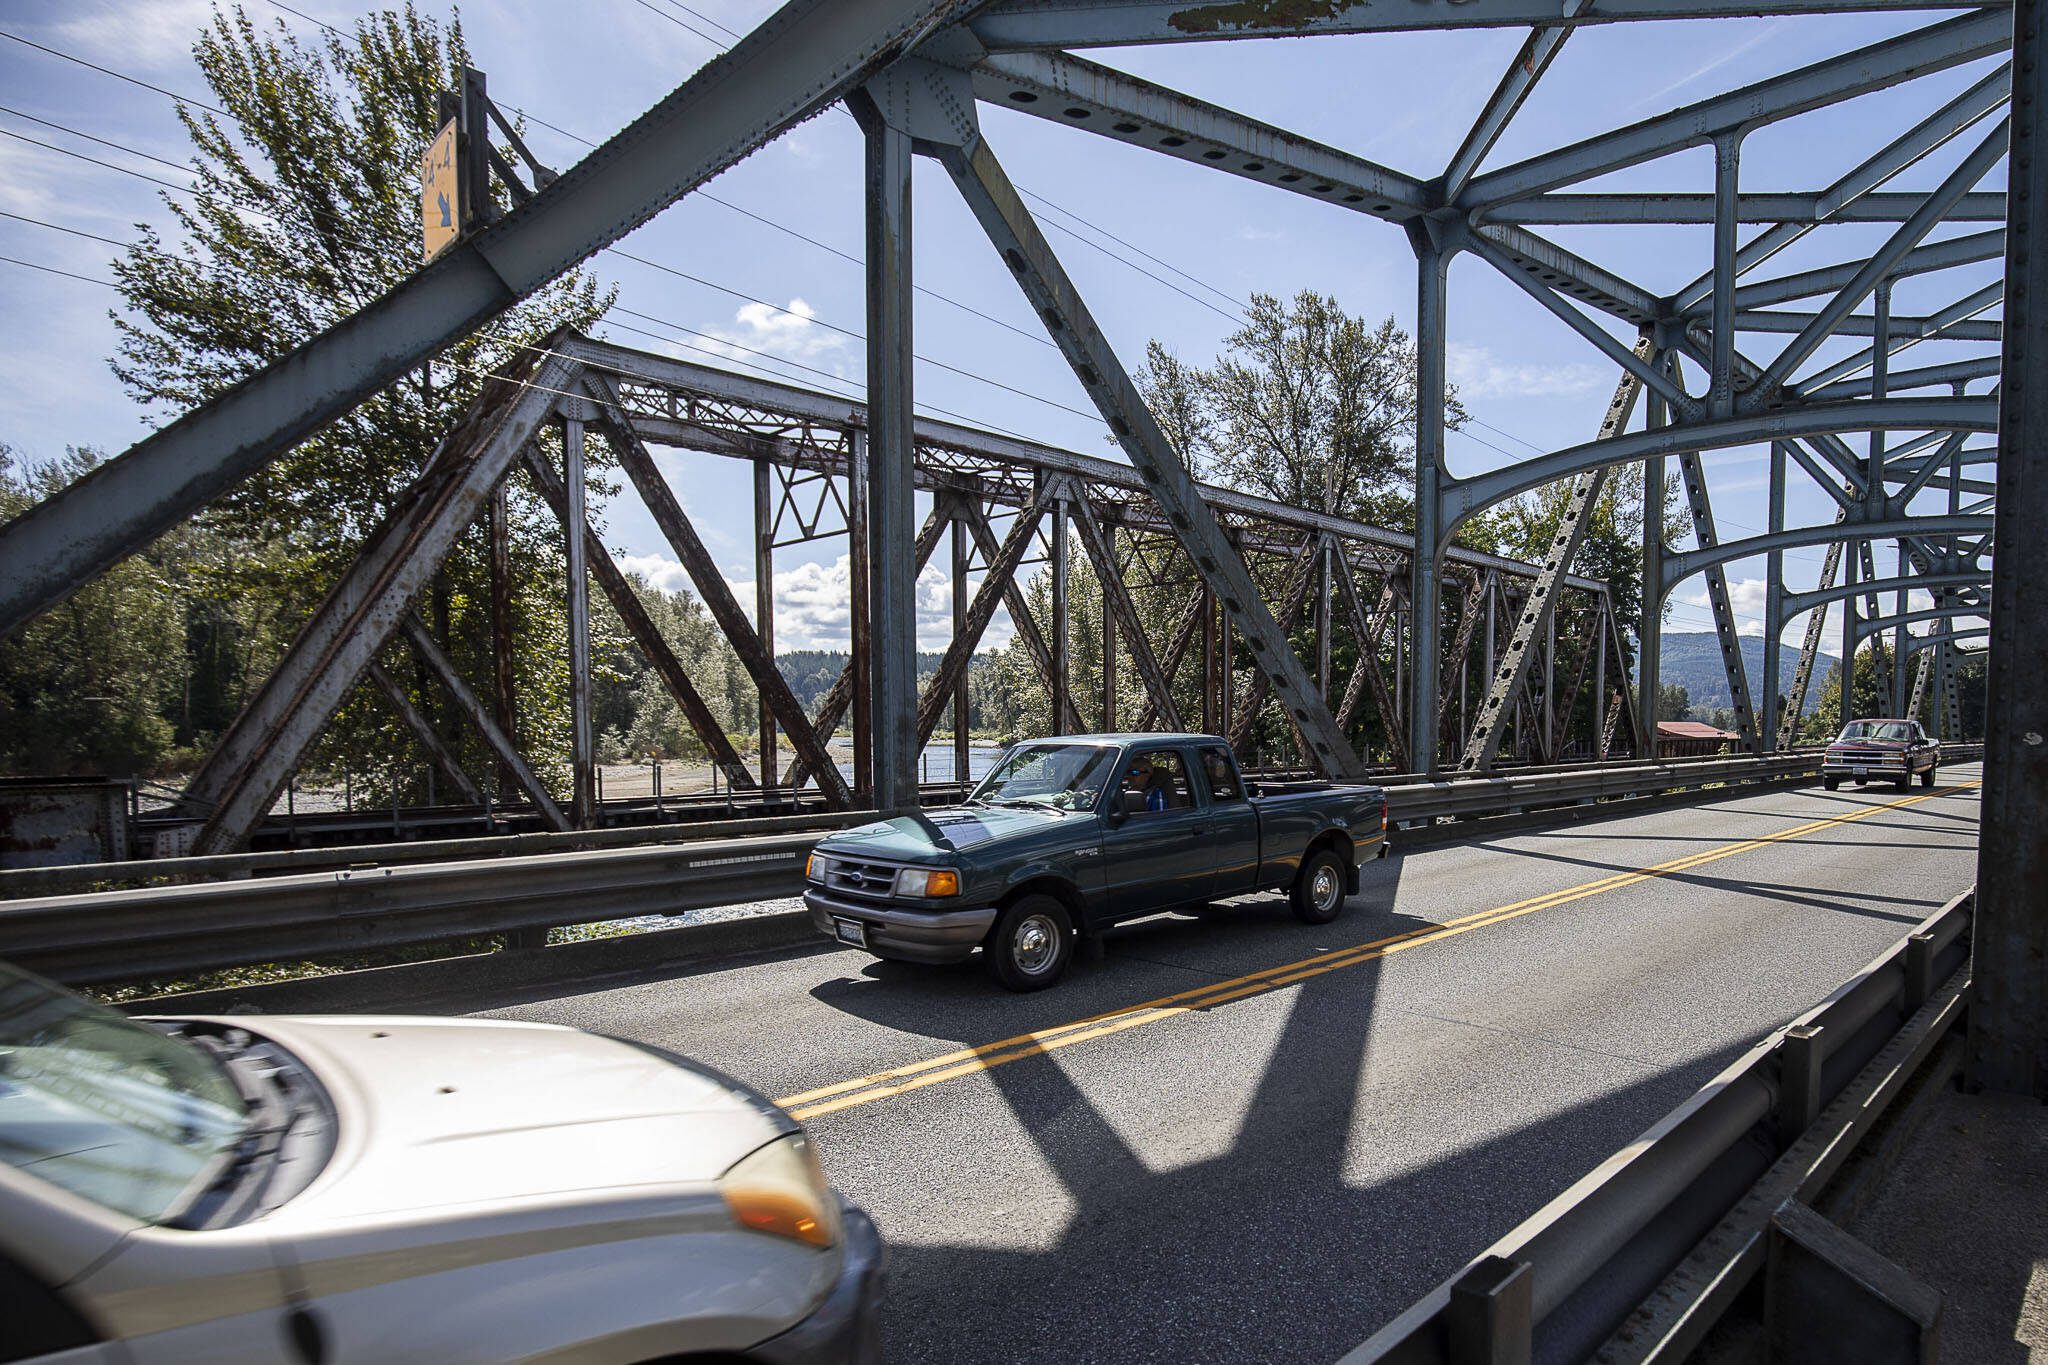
x,y
1240,1139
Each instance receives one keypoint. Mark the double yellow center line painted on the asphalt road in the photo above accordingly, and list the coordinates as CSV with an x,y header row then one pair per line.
x,y
988,1057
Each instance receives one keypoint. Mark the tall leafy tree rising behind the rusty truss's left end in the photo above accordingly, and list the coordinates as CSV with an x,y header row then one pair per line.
x,y
306,210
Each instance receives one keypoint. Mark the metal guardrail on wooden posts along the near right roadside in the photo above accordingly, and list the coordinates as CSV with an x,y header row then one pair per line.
x,y
1644,1258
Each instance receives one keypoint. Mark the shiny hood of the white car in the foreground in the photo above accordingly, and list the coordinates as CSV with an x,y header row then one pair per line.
x,y
454,1112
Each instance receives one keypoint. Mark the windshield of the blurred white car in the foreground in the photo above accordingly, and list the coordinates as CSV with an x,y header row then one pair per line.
x,y
108,1108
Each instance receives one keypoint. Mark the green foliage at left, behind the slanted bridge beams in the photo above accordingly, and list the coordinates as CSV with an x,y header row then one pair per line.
x,y
306,212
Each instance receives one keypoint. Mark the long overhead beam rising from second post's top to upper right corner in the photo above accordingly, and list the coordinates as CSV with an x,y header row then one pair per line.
x,y
1879,67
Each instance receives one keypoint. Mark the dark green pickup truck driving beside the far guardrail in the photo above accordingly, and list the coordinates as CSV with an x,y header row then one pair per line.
x,y
1076,834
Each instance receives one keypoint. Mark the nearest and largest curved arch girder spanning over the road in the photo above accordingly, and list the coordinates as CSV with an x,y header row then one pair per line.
x,y
1912,414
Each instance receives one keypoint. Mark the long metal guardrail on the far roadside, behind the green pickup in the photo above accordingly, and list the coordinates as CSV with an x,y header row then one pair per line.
x,y
419,893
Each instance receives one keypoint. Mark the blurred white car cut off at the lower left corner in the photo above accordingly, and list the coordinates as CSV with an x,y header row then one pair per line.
x,y
331,1190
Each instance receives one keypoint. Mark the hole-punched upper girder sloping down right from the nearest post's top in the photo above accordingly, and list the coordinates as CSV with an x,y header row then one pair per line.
x,y
1146,116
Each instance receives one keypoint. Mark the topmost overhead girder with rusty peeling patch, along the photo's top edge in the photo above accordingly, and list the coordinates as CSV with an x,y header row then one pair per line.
x,y
1017,26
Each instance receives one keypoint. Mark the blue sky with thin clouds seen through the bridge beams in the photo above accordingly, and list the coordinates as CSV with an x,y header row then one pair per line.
x,y
1160,249
